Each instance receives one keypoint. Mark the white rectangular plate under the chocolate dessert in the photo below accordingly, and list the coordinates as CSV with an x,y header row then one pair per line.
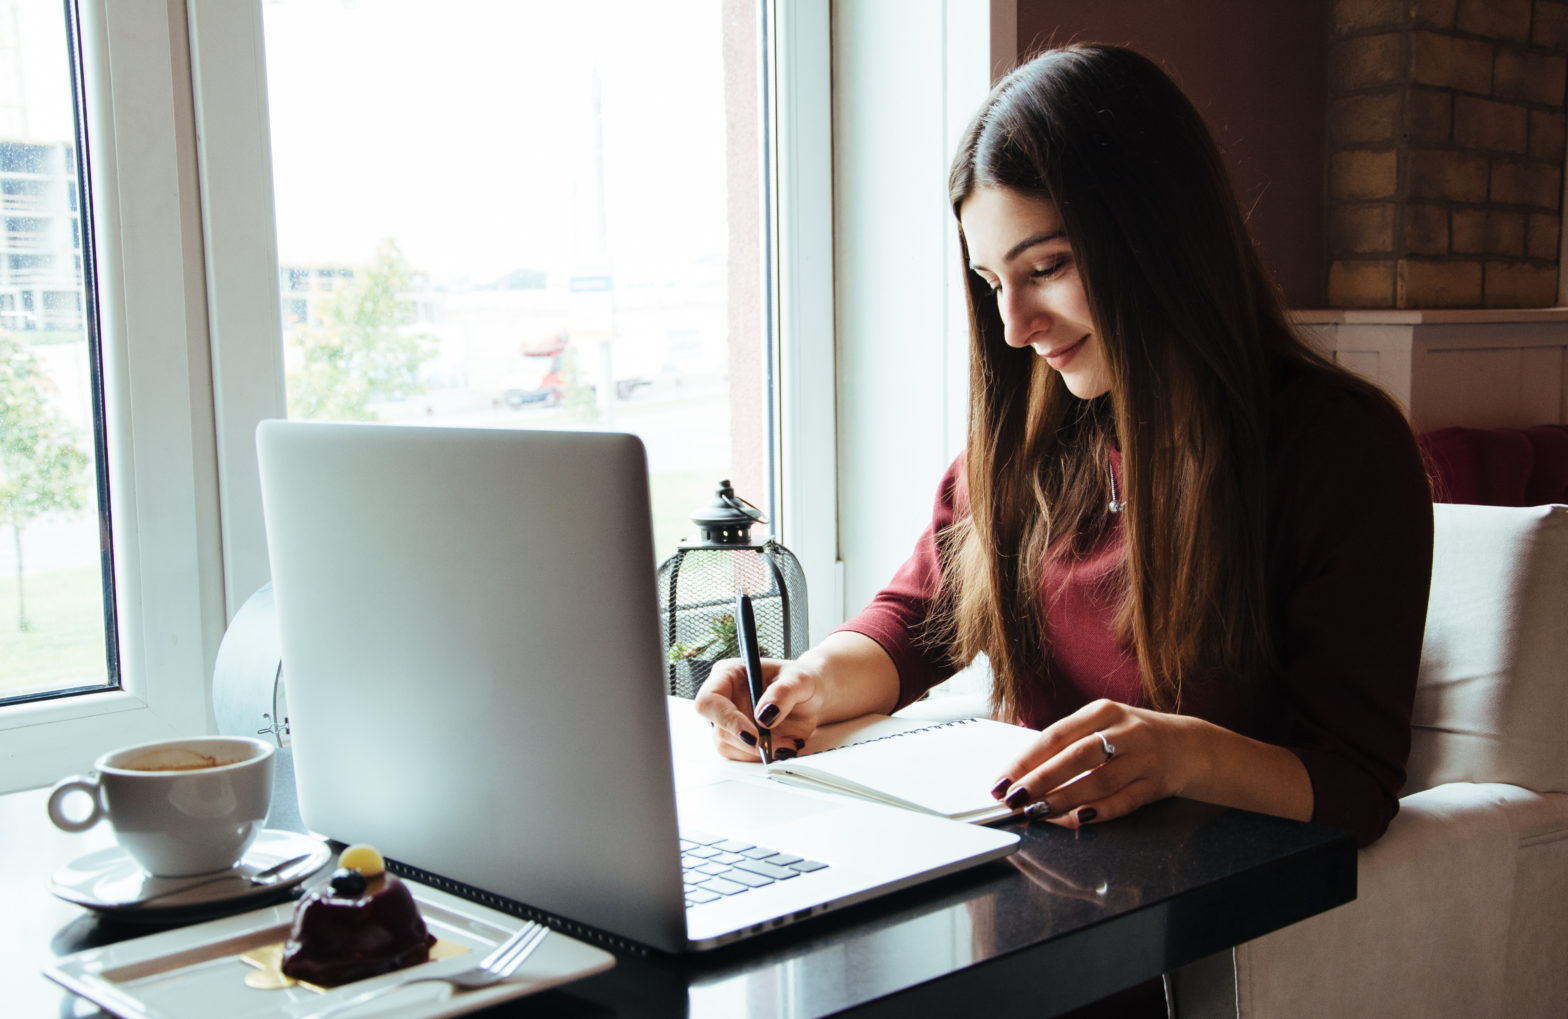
x,y
197,971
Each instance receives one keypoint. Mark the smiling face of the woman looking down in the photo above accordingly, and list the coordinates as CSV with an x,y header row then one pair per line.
x,y
1017,244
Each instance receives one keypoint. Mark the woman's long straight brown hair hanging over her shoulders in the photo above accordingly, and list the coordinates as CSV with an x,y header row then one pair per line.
x,y
1194,332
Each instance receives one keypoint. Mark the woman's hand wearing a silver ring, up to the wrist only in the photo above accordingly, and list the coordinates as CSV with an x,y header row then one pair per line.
x,y
1103,761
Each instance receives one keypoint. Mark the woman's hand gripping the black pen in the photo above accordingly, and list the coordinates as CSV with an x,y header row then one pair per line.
x,y
791,706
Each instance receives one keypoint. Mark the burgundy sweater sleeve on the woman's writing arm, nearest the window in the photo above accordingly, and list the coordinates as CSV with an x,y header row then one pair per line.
x,y
898,615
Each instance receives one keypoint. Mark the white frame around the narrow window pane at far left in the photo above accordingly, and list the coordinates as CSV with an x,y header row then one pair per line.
x,y
162,465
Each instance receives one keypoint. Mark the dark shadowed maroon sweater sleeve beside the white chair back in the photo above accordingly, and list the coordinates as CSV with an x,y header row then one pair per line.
x,y
1356,549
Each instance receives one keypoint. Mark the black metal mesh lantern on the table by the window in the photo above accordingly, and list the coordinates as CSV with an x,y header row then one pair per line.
x,y
699,589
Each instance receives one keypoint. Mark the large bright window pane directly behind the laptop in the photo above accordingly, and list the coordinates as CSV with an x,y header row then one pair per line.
x,y
556,223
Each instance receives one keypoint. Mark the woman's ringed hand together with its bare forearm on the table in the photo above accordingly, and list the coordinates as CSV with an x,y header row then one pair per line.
x,y
1109,760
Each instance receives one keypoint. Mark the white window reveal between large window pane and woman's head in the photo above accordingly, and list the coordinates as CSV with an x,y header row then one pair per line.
x,y
902,349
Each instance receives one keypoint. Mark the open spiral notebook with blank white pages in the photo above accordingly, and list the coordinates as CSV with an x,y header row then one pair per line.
x,y
945,769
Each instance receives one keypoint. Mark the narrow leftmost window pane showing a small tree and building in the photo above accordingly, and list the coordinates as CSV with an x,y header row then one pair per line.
x,y
56,622
